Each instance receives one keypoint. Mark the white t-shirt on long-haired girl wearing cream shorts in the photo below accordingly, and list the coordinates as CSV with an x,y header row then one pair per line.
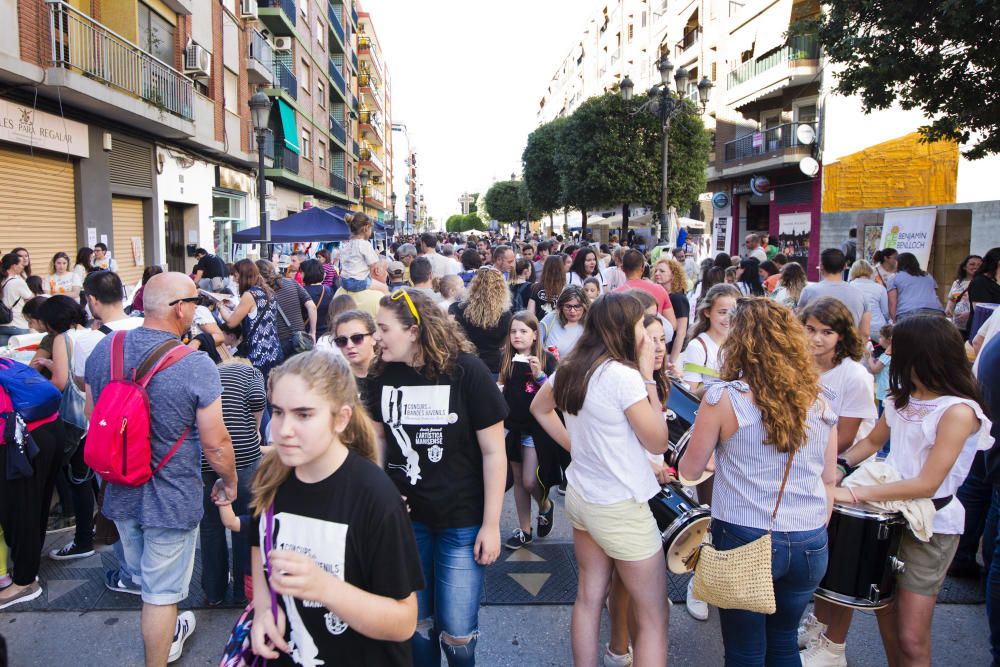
x,y
609,464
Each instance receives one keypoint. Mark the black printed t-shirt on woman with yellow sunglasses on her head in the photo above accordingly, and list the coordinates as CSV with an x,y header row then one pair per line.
x,y
432,452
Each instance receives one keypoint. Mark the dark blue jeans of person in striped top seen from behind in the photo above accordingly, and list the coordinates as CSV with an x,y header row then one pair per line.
x,y
214,552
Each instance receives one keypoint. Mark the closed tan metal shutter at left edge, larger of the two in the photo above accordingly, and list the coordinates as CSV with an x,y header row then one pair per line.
x,y
37,206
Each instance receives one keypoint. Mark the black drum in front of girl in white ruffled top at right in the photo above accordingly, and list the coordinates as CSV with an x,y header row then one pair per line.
x,y
863,544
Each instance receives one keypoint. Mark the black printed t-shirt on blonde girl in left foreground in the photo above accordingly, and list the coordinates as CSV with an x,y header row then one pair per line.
x,y
355,525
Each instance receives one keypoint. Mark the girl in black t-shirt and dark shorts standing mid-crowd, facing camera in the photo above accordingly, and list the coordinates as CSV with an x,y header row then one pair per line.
x,y
524,367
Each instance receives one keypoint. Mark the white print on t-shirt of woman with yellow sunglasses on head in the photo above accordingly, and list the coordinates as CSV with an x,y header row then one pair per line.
x,y
426,407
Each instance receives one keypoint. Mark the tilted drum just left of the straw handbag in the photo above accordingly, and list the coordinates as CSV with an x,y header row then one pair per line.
x,y
682,523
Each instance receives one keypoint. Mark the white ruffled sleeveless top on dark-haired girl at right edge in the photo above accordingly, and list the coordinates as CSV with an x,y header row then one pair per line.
x,y
914,430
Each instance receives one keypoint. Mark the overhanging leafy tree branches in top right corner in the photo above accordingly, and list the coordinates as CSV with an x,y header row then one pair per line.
x,y
940,57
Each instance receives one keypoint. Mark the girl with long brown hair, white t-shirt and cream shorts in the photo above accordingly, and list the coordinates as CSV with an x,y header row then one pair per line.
x,y
607,394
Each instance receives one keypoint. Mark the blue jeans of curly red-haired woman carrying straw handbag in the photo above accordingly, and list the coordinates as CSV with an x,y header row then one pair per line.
x,y
798,563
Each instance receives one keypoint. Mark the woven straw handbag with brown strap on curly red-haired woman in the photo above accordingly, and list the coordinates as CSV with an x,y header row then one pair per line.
x,y
739,578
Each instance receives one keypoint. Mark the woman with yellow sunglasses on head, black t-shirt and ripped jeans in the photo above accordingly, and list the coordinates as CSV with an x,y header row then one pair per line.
x,y
439,421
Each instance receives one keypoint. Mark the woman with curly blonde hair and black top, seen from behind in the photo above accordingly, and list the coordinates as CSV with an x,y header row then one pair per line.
x,y
484,315
